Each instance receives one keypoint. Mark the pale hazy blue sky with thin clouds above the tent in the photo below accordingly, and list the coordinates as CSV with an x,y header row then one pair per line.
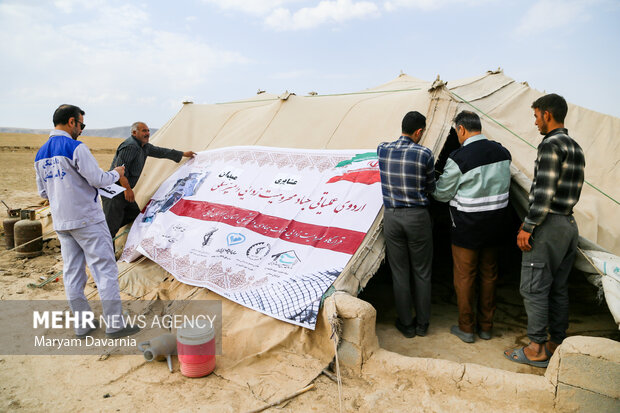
x,y
123,61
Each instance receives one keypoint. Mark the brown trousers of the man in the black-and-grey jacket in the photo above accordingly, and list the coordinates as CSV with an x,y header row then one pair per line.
x,y
468,263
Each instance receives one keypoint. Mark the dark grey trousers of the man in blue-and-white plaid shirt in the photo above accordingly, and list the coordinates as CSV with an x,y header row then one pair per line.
x,y
409,247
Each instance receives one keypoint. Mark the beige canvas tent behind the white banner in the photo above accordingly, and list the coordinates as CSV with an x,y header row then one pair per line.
x,y
361,120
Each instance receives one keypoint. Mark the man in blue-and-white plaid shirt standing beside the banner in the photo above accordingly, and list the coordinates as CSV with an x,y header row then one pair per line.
x,y
407,177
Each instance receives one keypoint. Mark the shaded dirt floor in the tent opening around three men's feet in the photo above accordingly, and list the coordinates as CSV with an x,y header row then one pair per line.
x,y
587,317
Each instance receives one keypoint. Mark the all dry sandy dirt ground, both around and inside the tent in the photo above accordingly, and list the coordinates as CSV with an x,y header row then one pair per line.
x,y
119,383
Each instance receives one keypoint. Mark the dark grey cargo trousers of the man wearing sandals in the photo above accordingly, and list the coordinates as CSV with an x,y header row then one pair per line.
x,y
544,277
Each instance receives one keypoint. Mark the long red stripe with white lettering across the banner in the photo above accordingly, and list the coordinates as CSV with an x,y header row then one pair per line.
x,y
330,238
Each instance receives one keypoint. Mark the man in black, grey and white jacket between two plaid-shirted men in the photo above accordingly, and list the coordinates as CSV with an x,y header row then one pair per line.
x,y
475,180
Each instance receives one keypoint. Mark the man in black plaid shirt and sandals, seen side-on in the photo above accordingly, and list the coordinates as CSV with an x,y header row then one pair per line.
x,y
548,236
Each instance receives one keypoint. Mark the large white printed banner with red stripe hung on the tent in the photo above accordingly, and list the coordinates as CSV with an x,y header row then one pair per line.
x,y
268,228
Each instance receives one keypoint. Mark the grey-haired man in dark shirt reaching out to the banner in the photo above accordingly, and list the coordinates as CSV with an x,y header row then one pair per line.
x,y
132,153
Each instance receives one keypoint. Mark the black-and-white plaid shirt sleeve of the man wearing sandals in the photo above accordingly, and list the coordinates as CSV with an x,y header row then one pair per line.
x,y
545,185
